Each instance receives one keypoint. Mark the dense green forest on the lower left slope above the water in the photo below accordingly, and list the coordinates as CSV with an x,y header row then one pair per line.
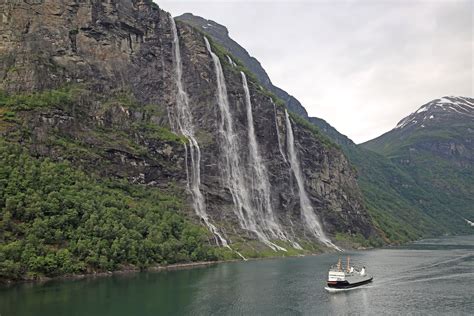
x,y
57,220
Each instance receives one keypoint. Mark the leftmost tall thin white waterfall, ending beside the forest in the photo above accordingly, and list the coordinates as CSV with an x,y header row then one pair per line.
x,y
182,124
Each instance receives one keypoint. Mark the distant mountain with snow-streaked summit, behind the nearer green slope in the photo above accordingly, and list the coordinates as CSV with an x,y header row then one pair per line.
x,y
435,145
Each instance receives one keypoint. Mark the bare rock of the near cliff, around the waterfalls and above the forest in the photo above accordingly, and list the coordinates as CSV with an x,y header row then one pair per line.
x,y
114,64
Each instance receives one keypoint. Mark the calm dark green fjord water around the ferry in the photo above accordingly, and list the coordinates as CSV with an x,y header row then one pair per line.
x,y
430,277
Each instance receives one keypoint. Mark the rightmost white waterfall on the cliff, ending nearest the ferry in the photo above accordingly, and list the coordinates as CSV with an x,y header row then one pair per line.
x,y
310,218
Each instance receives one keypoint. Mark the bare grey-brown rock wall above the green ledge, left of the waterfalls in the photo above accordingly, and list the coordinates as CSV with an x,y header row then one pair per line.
x,y
46,44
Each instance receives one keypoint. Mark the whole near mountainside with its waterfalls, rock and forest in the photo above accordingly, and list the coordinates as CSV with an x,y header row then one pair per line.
x,y
130,140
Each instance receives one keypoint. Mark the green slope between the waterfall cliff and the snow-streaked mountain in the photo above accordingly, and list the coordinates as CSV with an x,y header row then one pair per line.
x,y
386,189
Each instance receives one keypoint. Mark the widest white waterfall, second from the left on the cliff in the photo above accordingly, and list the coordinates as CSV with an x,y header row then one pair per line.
x,y
232,169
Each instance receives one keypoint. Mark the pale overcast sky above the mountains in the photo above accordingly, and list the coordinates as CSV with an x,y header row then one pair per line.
x,y
360,65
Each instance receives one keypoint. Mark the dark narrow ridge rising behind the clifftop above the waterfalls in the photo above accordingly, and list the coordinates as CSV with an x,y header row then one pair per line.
x,y
220,34
